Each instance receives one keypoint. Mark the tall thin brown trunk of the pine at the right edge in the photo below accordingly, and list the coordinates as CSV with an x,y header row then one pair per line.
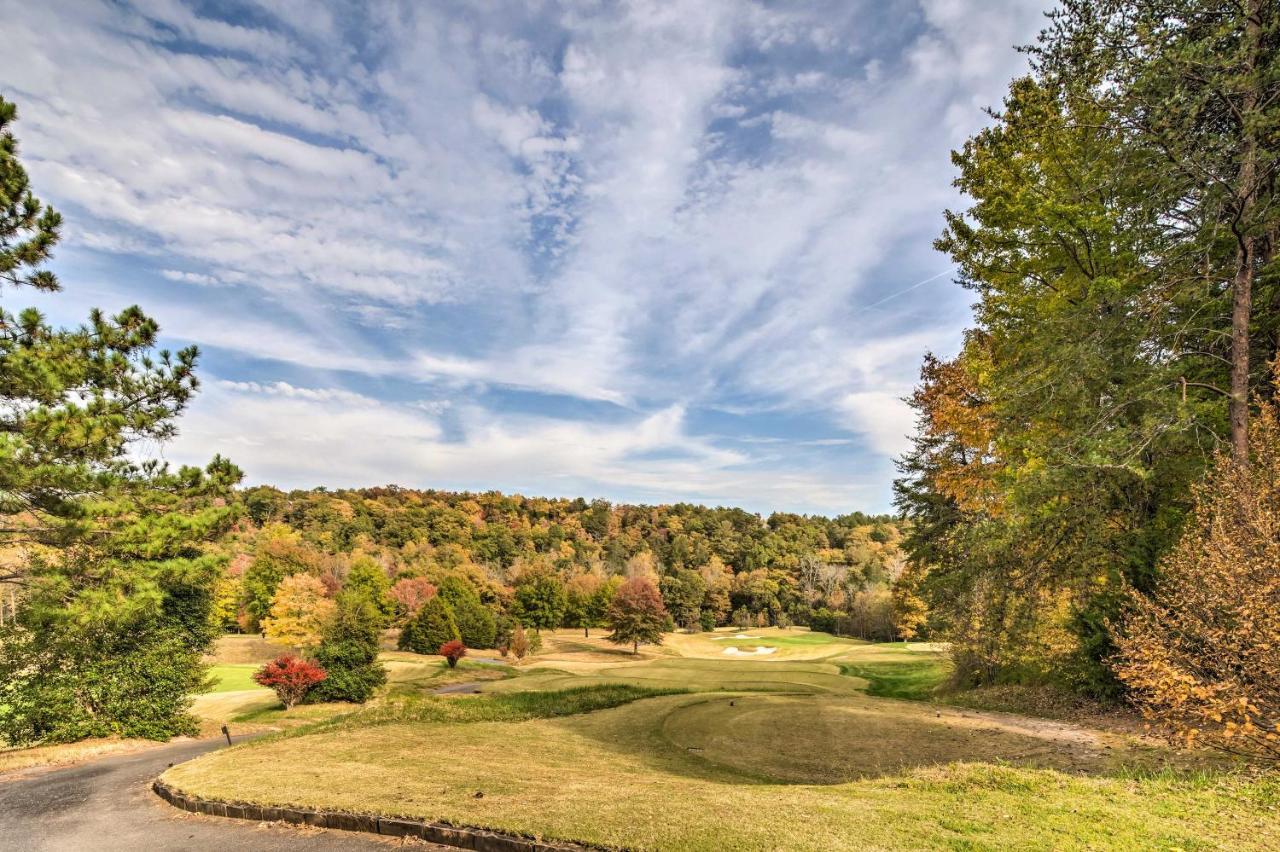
x,y
1242,288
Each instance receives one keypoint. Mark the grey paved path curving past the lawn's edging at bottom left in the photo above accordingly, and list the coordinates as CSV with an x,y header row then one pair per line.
x,y
108,805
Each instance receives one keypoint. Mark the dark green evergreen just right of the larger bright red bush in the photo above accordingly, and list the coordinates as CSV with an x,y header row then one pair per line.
x,y
349,652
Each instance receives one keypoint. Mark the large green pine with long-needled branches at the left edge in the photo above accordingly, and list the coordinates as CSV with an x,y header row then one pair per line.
x,y
111,560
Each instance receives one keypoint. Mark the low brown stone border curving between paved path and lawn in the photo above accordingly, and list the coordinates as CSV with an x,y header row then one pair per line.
x,y
442,833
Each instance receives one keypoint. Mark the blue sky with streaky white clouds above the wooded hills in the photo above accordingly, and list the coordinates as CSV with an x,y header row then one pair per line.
x,y
652,253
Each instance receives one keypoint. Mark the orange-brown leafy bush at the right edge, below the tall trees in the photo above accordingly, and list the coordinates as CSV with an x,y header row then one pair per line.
x,y
1203,657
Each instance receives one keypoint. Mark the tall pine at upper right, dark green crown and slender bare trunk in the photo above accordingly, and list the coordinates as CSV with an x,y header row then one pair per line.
x,y
1199,85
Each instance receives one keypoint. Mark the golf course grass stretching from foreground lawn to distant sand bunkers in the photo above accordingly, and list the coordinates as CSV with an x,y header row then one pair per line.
x,y
710,743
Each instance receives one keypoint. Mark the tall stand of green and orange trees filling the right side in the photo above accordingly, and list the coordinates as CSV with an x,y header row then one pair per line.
x,y
1121,241
